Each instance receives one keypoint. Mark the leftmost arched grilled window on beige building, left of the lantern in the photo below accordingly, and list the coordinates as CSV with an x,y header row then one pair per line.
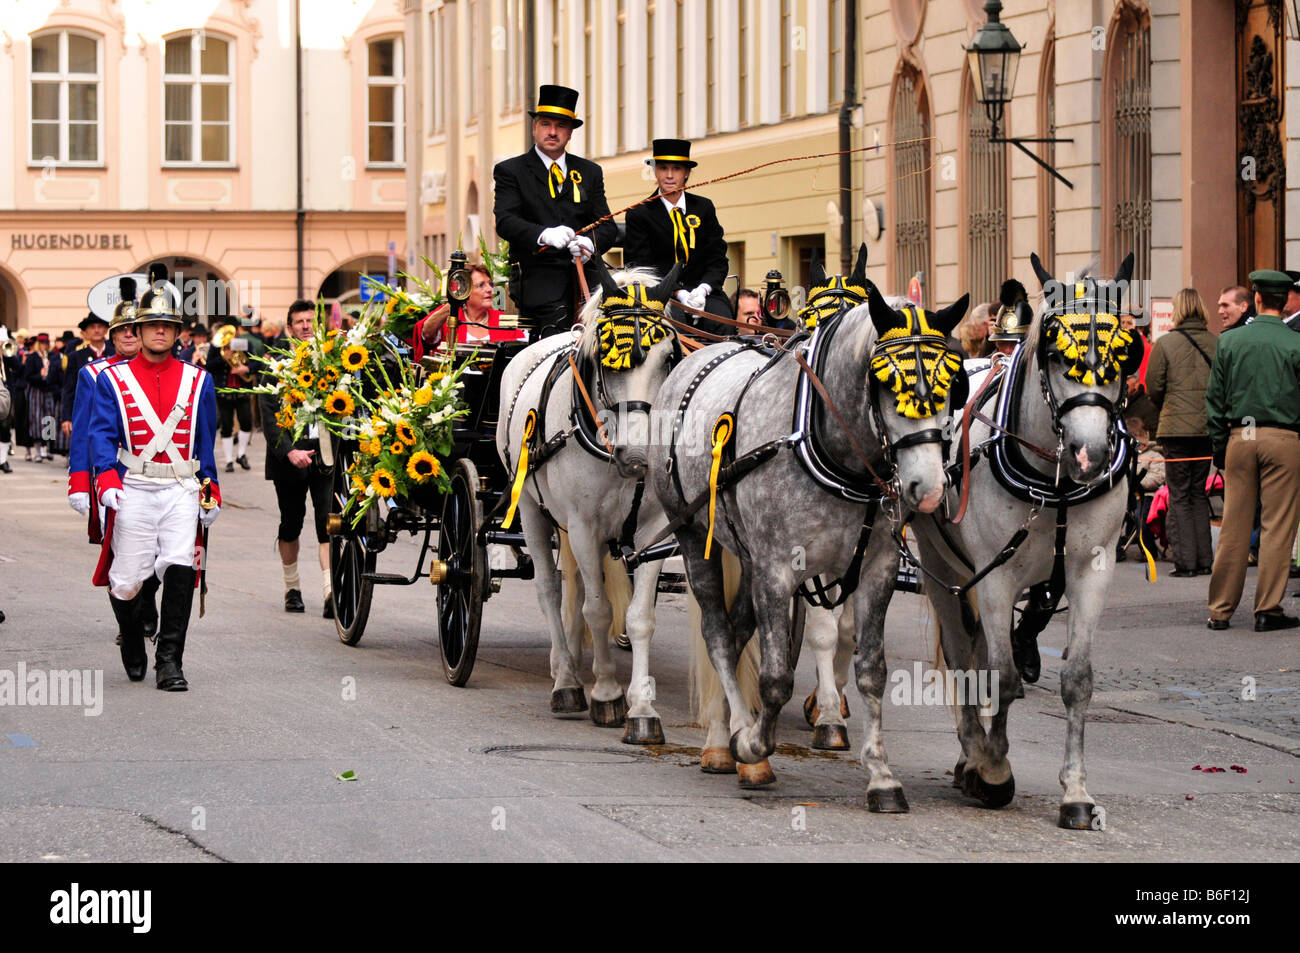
x,y
909,123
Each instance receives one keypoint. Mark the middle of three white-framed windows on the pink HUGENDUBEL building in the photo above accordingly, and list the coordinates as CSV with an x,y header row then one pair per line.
x,y
198,96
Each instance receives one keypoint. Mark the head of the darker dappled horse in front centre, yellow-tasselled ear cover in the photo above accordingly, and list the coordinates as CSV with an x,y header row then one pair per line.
x,y
917,383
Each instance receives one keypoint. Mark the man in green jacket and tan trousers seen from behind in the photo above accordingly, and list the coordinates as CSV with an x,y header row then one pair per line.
x,y
1254,413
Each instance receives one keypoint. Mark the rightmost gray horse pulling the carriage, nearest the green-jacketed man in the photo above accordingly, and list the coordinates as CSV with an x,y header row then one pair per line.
x,y
1060,397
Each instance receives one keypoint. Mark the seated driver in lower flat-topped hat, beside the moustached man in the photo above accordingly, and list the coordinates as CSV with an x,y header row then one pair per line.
x,y
682,228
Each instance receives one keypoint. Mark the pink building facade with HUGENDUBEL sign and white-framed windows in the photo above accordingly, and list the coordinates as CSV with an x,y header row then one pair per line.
x,y
170,132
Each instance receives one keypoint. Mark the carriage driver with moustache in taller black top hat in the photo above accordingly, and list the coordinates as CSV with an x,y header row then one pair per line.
x,y
543,198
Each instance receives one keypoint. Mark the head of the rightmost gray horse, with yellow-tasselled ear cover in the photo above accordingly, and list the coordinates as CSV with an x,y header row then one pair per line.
x,y
1084,356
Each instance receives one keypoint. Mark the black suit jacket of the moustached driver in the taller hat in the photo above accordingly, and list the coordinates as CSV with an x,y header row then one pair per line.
x,y
525,207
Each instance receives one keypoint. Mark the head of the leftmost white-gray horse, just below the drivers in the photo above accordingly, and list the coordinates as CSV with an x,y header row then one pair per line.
x,y
626,353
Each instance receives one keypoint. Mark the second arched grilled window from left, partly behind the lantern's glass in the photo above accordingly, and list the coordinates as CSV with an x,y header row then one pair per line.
x,y
986,201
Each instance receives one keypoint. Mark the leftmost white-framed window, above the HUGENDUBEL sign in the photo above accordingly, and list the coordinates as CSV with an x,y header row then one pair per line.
x,y
67,102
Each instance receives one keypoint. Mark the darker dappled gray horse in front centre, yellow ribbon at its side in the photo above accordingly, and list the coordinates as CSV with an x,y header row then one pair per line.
x,y
807,506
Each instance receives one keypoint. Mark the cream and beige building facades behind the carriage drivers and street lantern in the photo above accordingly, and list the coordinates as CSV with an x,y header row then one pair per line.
x,y
1175,112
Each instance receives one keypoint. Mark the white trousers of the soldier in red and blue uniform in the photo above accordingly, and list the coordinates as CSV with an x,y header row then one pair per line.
x,y
154,530
